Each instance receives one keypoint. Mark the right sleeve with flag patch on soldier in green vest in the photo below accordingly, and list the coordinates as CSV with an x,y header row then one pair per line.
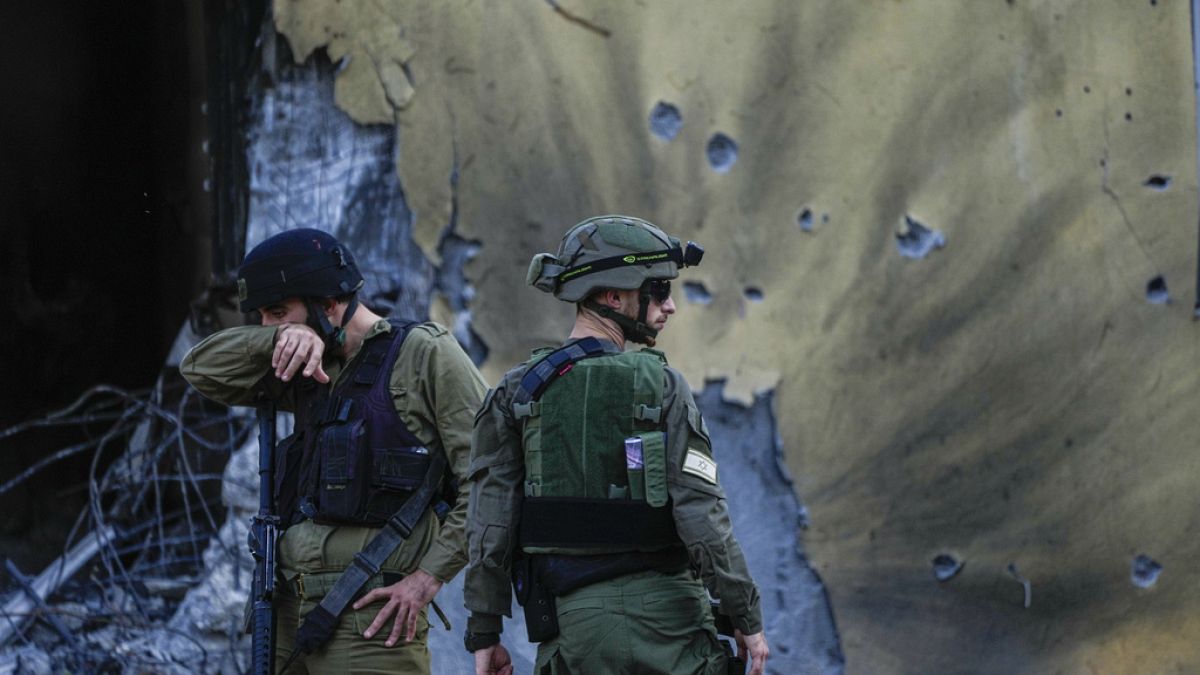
x,y
701,513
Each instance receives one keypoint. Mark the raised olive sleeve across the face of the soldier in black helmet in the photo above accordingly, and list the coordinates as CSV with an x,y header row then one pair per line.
x,y
229,366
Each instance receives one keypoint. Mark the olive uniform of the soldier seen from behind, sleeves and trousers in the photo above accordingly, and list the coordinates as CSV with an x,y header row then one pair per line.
x,y
641,623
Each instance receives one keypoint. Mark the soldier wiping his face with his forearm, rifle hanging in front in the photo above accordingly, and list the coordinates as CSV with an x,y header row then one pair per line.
x,y
377,405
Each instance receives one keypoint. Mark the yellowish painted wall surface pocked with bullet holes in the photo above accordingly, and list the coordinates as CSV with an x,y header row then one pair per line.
x,y
1004,384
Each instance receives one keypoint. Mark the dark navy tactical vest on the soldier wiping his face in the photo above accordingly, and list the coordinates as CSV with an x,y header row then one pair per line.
x,y
352,461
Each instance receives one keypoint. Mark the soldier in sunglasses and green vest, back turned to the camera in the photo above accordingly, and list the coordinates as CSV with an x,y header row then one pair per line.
x,y
595,485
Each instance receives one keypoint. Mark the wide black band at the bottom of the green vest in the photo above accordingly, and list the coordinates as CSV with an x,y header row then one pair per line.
x,y
595,524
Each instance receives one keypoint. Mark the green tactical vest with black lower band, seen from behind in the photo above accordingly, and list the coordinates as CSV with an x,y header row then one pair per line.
x,y
589,411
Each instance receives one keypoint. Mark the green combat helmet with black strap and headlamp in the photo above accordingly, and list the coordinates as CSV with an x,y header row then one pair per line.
x,y
613,252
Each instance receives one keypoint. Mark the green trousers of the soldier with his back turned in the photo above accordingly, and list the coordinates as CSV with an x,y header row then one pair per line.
x,y
638,624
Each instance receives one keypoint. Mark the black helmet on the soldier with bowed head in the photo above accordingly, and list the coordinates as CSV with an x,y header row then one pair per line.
x,y
298,264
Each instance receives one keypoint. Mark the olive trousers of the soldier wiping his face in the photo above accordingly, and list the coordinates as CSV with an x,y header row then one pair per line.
x,y
320,554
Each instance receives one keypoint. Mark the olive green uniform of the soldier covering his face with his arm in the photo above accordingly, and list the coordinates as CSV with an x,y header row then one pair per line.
x,y
436,391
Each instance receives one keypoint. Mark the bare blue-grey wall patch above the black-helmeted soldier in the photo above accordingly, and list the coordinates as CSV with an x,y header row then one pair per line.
x,y
311,166
